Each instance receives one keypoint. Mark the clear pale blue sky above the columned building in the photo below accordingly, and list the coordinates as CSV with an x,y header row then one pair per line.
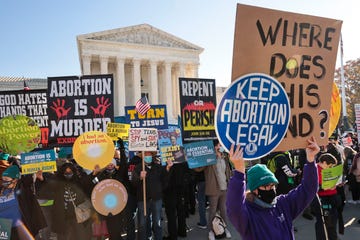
x,y
38,38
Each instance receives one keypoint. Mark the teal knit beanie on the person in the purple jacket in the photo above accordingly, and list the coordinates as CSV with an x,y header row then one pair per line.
x,y
259,175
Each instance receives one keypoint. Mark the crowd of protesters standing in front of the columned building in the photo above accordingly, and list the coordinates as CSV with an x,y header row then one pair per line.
x,y
42,204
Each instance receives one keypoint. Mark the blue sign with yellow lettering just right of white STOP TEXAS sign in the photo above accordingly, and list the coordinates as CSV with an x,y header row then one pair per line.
x,y
170,145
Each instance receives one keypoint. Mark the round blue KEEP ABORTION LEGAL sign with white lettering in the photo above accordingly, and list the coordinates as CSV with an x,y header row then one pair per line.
x,y
255,113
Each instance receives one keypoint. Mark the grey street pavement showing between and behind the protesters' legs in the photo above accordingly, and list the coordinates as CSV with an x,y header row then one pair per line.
x,y
306,228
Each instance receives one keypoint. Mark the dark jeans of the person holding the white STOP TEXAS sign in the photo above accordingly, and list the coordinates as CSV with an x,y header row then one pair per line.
x,y
152,219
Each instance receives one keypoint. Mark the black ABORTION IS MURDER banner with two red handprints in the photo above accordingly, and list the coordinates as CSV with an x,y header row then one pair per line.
x,y
77,105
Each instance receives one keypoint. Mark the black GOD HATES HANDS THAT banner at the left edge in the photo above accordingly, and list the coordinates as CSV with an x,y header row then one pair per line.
x,y
31,103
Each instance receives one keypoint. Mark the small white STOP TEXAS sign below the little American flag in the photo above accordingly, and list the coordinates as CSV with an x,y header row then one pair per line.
x,y
143,139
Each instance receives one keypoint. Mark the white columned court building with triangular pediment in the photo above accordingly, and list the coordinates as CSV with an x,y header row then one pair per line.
x,y
144,61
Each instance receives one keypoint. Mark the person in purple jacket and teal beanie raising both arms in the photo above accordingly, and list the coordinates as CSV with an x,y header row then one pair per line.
x,y
257,213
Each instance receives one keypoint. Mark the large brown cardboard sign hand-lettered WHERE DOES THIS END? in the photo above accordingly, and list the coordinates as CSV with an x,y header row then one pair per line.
x,y
300,52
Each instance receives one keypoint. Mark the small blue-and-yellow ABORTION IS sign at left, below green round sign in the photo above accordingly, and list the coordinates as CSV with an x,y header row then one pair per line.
x,y
40,160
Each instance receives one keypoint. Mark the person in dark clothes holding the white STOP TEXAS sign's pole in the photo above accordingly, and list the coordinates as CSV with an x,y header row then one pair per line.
x,y
156,177
